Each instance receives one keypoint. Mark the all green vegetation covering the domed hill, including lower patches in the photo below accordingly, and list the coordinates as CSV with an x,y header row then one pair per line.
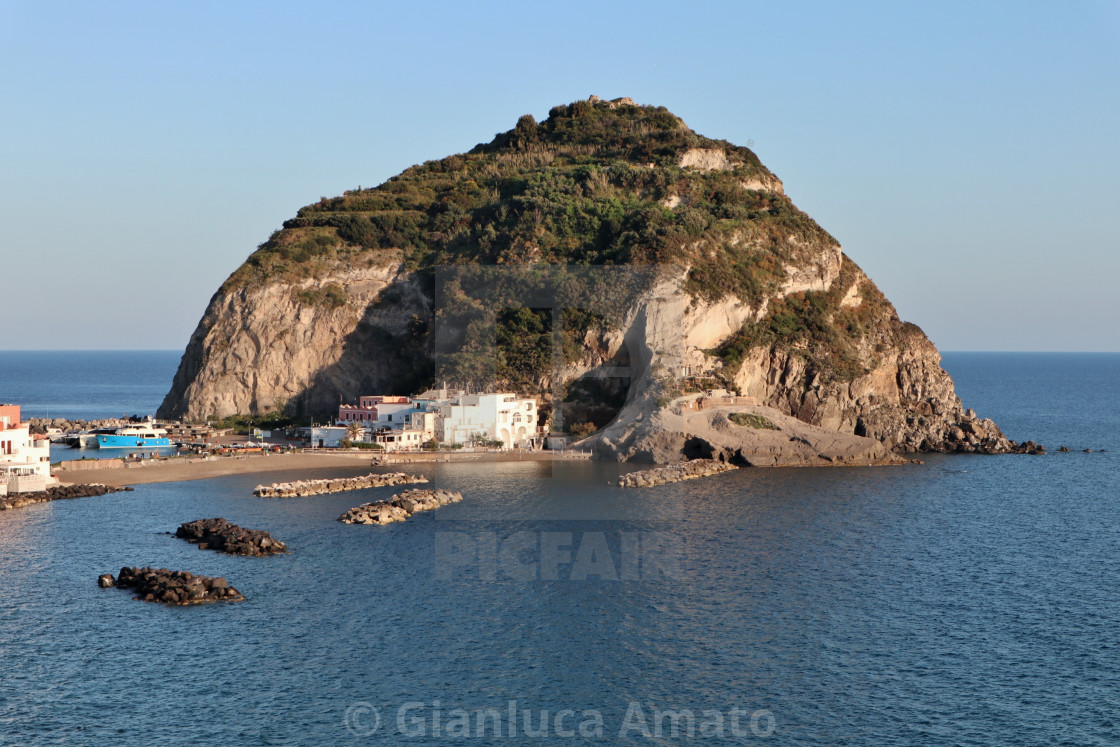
x,y
596,184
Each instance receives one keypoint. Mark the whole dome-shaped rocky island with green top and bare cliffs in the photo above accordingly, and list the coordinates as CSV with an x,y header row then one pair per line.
x,y
609,262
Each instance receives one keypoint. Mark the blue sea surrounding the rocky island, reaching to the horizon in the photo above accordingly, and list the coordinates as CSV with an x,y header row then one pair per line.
x,y
966,601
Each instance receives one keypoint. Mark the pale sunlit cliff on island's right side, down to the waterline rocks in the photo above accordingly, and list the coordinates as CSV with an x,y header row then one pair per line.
x,y
894,391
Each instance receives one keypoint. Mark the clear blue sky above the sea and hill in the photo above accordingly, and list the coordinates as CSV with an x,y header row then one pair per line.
x,y
966,155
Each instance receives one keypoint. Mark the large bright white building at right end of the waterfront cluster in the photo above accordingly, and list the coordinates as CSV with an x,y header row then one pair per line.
x,y
502,417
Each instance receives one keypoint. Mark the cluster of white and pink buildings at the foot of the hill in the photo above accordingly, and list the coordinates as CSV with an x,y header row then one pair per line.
x,y
445,416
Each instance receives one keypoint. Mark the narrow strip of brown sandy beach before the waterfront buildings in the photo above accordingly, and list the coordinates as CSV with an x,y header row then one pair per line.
x,y
181,469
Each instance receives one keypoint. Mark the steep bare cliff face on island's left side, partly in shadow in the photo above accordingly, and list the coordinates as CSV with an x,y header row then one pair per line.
x,y
286,347
